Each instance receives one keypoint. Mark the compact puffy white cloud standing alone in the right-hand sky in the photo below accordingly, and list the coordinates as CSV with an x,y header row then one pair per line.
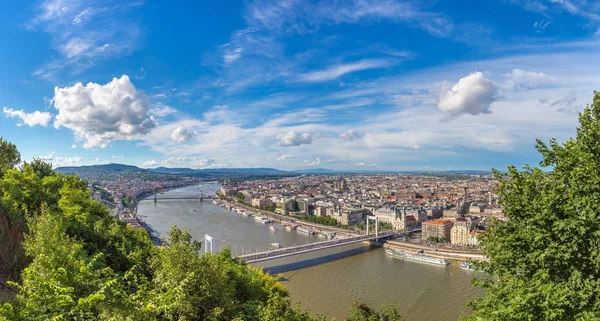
x,y
472,94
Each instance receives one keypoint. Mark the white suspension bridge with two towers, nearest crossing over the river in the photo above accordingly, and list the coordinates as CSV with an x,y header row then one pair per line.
x,y
264,255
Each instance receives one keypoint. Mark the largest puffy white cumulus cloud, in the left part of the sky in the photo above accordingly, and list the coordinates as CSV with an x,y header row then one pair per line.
x,y
98,114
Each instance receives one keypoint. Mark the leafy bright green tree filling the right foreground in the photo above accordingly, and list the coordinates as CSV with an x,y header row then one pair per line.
x,y
545,259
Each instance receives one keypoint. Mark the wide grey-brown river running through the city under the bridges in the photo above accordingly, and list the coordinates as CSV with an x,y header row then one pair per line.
x,y
326,281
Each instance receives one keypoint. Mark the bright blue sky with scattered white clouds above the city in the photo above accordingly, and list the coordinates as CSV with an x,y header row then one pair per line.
x,y
364,84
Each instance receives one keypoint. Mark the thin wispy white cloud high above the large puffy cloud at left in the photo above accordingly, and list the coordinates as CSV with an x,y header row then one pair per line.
x,y
84,33
